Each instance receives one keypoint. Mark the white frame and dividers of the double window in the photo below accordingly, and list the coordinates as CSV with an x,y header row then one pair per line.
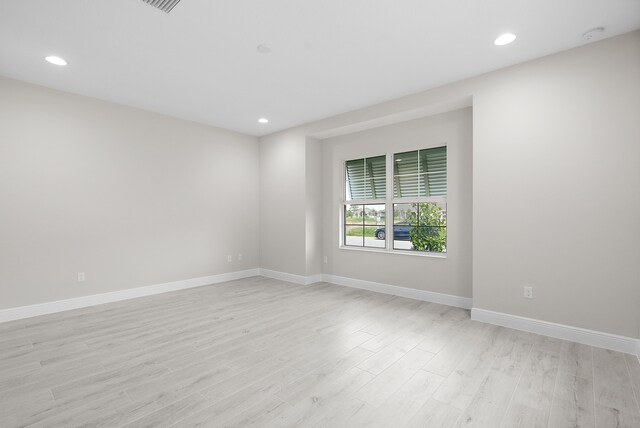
x,y
389,201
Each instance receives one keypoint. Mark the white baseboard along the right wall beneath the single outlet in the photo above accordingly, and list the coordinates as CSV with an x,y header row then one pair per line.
x,y
599,339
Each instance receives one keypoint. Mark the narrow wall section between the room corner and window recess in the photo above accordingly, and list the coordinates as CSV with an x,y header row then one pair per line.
x,y
290,204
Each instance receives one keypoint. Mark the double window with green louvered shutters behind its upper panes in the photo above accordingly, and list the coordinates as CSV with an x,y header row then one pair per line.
x,y
416,197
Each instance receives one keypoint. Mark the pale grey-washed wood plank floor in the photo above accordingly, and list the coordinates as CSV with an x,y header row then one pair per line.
x,y
265,353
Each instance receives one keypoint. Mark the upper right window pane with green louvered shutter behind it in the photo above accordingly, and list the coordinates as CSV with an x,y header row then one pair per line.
x,y
420,173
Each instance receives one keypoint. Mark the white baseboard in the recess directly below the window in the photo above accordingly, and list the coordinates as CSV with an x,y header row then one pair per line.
x,y
410,293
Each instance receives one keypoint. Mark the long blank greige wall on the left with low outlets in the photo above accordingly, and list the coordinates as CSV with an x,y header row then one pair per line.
x,y
129,197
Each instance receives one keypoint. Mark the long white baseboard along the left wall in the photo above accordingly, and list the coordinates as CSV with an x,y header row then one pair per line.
x,y
21,312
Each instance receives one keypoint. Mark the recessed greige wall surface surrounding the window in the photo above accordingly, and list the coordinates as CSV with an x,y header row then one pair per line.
x,y
450,275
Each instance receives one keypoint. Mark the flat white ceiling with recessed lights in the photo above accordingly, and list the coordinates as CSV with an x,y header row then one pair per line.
x,y
200,62
